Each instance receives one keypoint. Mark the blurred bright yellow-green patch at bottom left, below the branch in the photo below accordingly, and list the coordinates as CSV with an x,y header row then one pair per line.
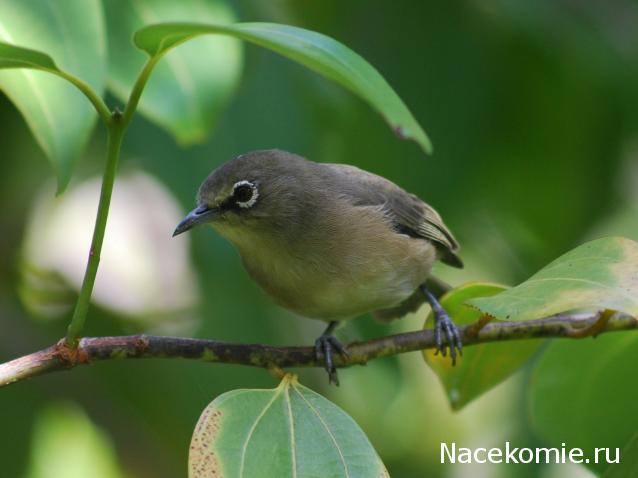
x,y
67,444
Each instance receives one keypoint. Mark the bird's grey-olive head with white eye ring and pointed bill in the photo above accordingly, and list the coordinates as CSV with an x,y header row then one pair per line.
x,y
257,191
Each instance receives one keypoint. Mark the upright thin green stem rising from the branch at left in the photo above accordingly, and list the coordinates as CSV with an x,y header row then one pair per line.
x,y
114,143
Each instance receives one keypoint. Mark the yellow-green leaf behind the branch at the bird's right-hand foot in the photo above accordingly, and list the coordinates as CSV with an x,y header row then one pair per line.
x,y
482,366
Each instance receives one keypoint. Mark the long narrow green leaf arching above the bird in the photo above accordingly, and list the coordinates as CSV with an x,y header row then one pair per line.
x,y
314,50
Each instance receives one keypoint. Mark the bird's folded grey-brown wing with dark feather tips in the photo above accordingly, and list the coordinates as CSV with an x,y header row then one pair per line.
x,y
409,214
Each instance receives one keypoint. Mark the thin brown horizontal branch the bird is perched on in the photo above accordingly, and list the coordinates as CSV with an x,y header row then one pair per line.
x,y
61,356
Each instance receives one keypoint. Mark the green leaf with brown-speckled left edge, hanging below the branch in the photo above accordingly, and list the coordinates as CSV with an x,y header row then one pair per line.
x,y
290,431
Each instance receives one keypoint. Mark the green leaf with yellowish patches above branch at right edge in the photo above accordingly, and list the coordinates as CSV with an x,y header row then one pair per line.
x,y
601,274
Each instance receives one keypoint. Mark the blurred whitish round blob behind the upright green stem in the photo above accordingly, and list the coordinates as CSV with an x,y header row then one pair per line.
x,y
144,273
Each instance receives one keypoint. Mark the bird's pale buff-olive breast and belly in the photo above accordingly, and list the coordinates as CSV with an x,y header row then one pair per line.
x,y
343,266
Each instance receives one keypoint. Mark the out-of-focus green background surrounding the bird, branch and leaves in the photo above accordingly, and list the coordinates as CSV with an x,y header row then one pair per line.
x,y
533,111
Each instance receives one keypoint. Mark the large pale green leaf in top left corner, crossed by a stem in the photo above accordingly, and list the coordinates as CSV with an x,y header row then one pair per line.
x,y
72,33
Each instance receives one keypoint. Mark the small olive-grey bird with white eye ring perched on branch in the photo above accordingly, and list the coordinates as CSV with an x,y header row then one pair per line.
x,y
329,241
